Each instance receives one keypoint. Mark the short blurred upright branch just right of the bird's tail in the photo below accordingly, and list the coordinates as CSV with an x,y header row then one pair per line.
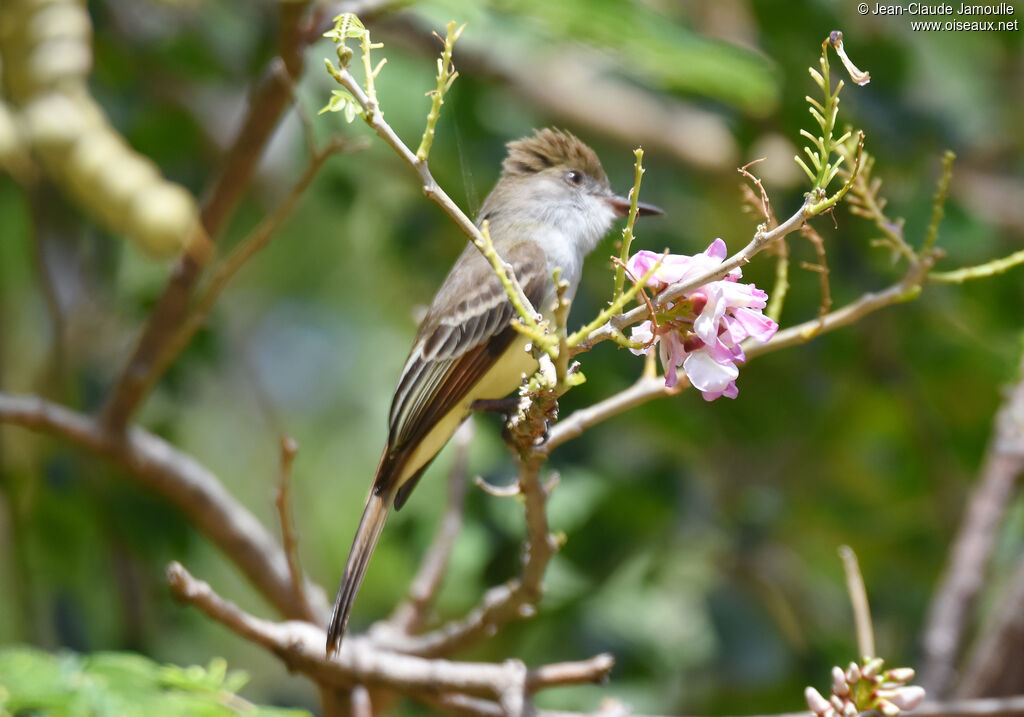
x,y
409,616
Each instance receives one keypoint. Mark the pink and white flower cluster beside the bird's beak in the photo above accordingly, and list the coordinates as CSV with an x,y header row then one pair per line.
x,y
703,332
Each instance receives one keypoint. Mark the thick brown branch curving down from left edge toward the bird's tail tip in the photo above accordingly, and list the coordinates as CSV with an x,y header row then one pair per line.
x,y
178,478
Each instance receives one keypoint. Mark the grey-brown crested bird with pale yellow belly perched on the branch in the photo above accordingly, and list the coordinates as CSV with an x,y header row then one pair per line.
x,y
549,209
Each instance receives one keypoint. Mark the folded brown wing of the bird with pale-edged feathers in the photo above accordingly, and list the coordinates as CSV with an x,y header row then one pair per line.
x,y
465,331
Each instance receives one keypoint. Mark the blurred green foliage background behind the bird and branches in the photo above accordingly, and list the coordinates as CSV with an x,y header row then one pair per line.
x,y
701,537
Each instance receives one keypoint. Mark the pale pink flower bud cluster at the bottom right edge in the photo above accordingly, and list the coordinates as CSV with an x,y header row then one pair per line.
x,y
864,688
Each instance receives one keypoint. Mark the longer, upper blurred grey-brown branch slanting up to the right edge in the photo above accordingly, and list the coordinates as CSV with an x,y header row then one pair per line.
x,y
965,575
